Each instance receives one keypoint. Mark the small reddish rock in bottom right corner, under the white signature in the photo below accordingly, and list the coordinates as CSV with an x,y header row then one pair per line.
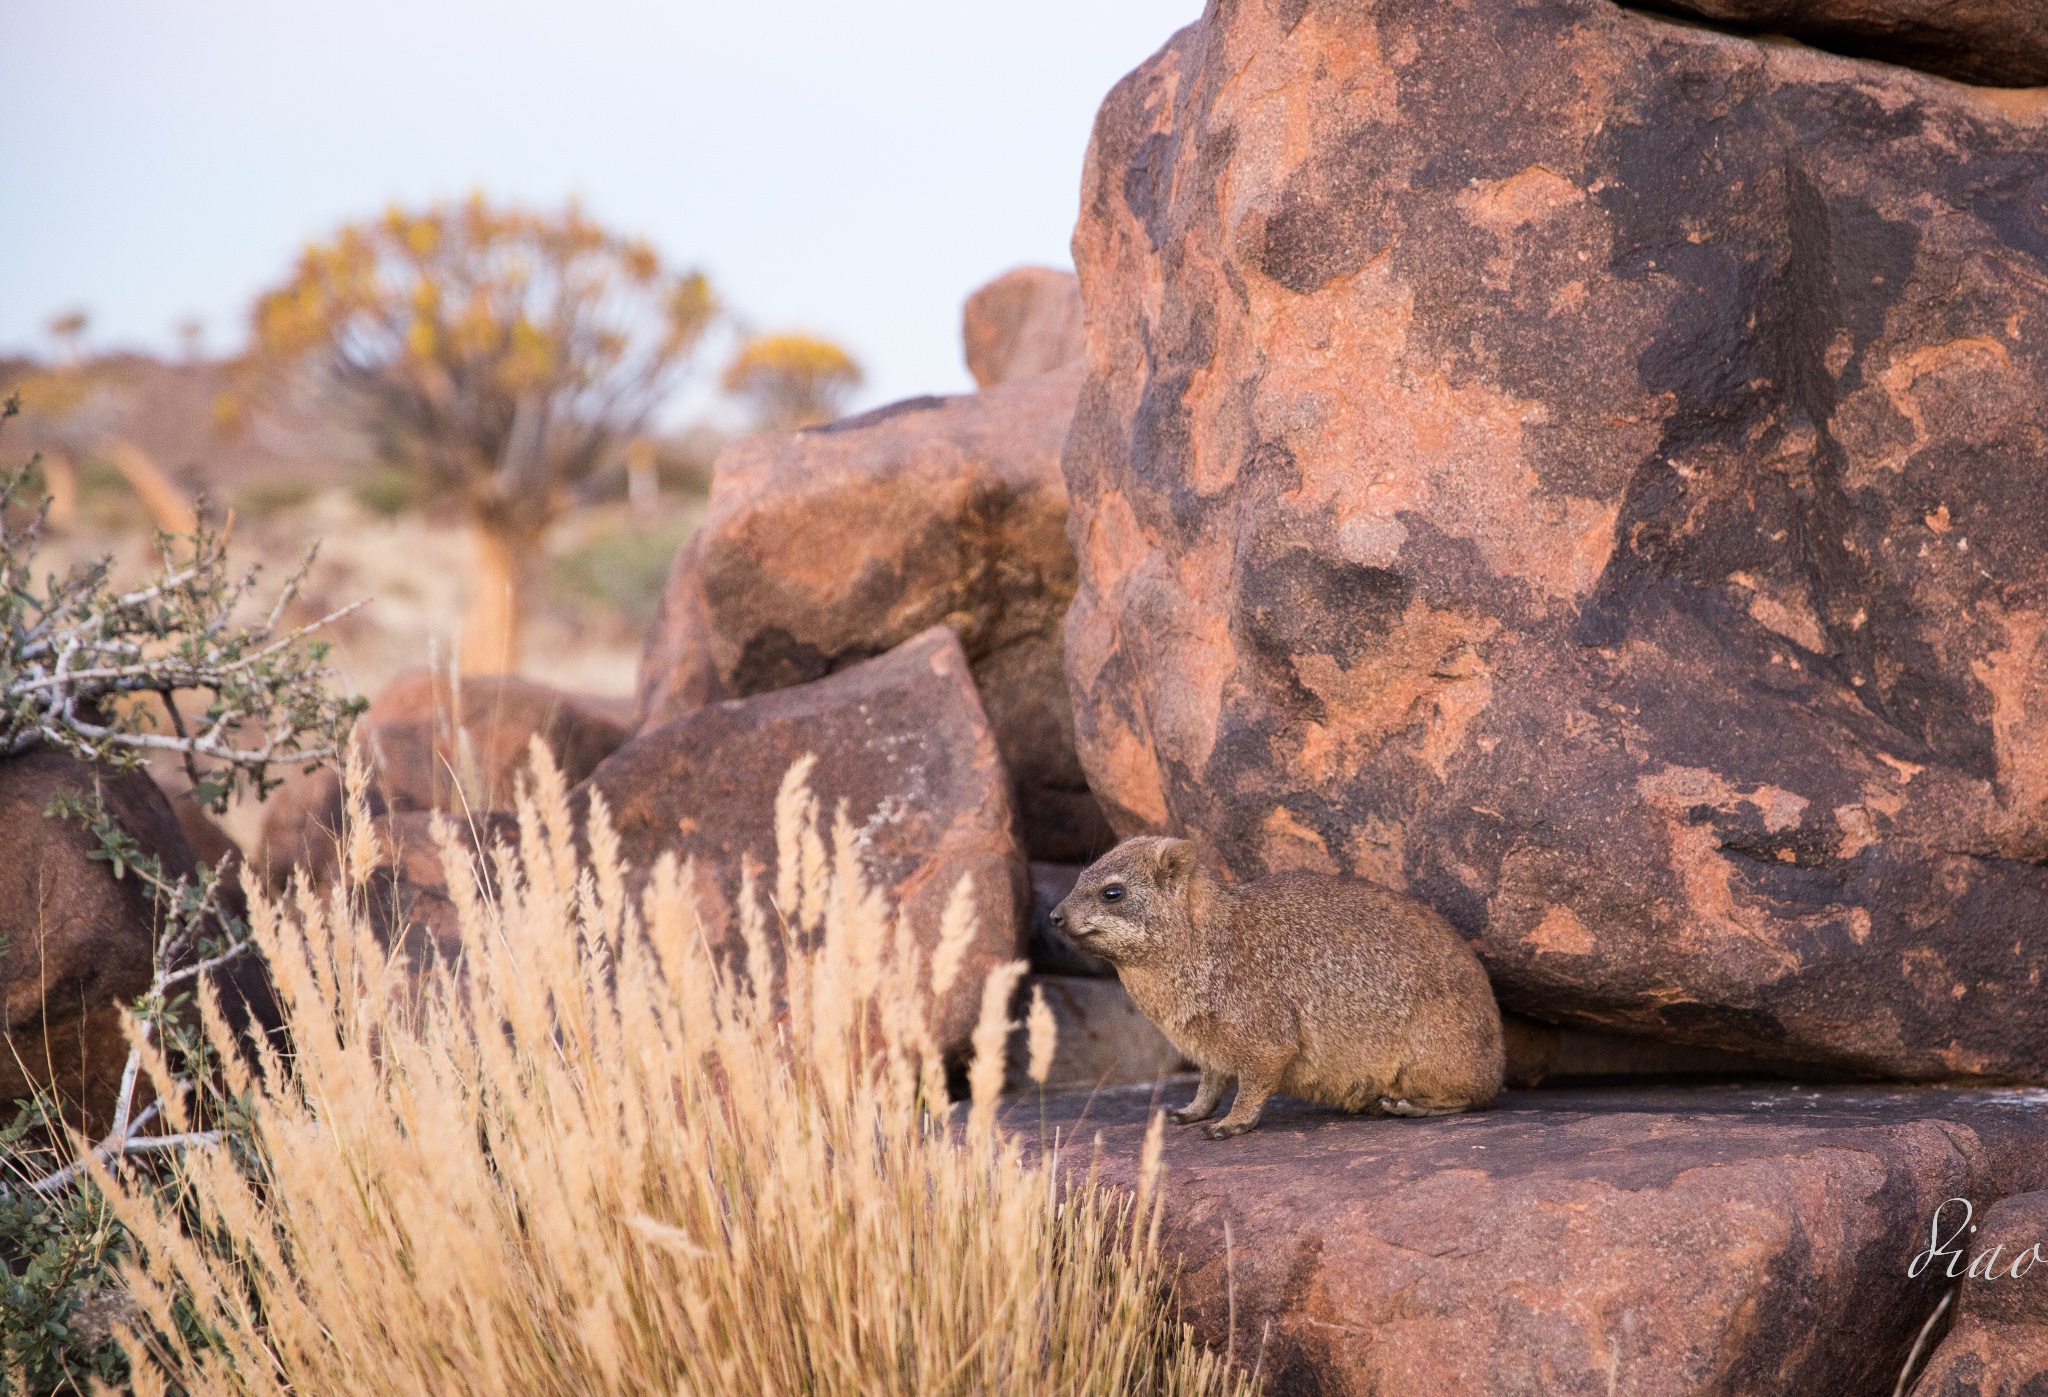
x,y
1998,1343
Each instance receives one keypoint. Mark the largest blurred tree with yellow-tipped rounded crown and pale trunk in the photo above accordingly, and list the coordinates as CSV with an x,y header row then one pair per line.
x,y
501,355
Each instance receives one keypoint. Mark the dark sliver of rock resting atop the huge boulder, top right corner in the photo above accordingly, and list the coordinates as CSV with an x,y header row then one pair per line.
x,y
2002,44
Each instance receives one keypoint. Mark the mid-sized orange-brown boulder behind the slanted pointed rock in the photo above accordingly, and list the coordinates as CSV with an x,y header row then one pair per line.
x,y
830,546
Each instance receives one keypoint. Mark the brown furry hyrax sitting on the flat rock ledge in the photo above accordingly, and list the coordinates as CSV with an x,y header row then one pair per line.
x,y
1328,988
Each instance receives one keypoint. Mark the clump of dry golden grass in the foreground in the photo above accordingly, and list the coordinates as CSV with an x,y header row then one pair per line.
x,y
646,1177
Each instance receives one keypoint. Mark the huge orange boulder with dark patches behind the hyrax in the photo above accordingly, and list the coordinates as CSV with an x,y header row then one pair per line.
x,y
1588,472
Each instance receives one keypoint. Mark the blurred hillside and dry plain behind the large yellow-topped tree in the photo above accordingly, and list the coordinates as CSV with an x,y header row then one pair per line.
x,y
296,470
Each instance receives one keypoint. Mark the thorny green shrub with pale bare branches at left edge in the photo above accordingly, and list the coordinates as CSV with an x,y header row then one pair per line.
x,y
99,673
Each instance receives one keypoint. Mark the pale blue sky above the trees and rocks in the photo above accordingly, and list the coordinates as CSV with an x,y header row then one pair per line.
x,y
847,169
